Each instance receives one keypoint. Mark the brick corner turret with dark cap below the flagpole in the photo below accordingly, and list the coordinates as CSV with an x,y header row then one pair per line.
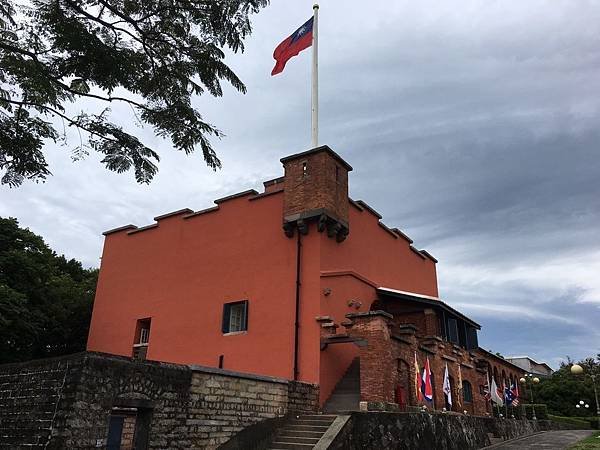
x,y
316,189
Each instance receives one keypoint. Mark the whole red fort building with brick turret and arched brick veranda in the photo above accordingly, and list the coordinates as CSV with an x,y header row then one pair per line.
x,y
298,282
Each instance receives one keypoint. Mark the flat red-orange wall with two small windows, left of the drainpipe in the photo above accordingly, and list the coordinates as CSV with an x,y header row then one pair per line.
x,y
182,272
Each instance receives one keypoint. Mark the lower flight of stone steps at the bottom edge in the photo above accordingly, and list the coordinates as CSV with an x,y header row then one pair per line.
x,y
302,432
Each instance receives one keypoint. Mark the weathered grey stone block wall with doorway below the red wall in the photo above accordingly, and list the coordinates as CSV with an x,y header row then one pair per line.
x,y
67,402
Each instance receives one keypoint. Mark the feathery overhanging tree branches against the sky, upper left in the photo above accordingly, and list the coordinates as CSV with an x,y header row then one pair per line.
x,y
153,55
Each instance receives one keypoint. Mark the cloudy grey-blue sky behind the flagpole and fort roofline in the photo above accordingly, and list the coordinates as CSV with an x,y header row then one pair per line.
x,y
473,126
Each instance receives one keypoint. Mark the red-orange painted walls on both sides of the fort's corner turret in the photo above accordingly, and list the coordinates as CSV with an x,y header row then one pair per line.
x,y
181,272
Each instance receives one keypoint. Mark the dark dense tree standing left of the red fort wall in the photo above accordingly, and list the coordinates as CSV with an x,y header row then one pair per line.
x,y
45,299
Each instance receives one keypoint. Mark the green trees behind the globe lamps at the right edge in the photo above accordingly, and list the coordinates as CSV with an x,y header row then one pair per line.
x,y
563,390
